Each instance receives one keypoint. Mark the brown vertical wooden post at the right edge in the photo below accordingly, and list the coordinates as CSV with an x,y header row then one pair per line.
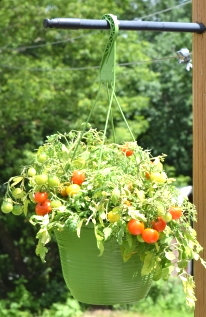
x,y
199,149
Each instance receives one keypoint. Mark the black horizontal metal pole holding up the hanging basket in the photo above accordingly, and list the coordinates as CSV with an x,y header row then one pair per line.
x,y
73,23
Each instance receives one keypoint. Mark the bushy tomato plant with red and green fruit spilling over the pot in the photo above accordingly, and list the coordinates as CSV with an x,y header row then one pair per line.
x,y
127,199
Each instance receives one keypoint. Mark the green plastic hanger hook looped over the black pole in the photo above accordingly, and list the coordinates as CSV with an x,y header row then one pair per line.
x,y
107,67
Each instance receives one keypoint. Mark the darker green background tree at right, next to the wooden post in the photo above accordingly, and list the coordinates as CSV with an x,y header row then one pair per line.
x,y
170,111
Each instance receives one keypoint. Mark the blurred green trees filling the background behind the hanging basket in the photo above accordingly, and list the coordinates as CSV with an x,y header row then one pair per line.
x,y
48,83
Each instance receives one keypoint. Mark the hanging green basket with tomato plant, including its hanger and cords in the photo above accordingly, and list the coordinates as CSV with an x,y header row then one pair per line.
x,y
118,219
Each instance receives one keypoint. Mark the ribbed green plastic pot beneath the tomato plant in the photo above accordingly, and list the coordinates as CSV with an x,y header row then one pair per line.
x,y
99,280
